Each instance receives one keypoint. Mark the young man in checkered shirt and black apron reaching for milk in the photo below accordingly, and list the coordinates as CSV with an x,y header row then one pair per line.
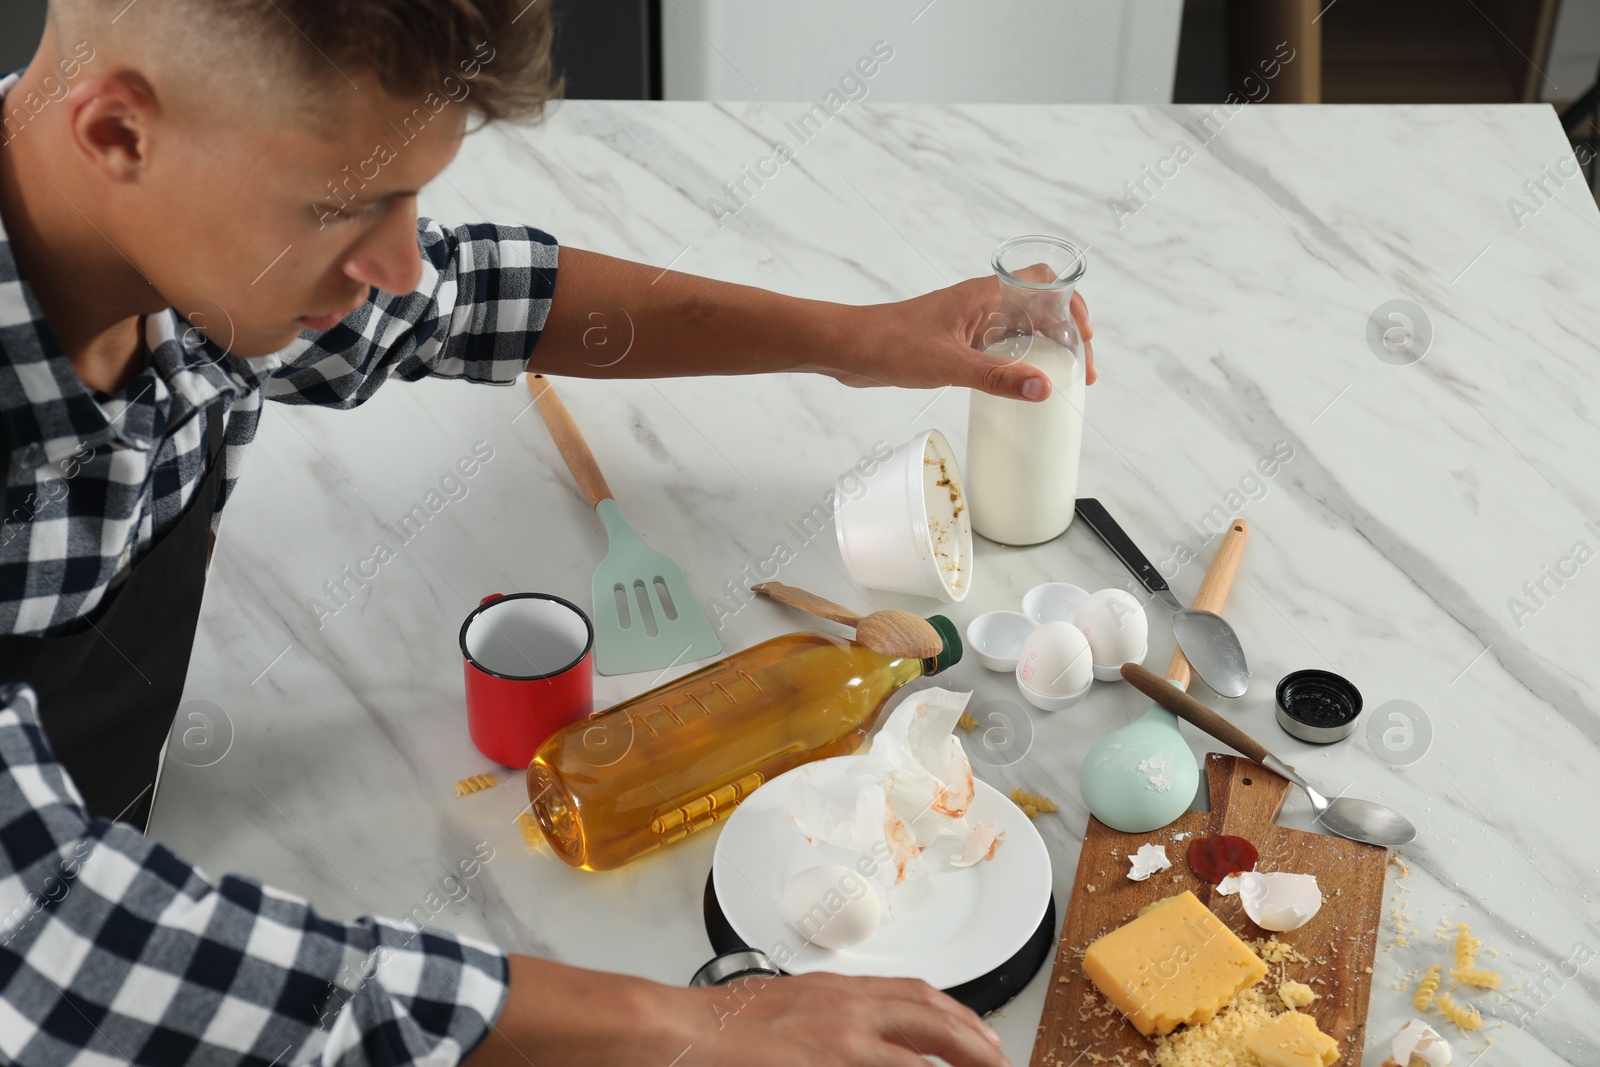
x,y
212,202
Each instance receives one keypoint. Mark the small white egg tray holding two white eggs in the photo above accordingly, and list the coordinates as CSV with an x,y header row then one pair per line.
x,y
1060,629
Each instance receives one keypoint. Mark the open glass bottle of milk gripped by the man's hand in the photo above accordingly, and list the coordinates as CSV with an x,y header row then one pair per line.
x,y
1022,455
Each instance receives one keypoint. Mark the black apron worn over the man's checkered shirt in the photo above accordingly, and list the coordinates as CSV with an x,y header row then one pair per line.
x,y
108,693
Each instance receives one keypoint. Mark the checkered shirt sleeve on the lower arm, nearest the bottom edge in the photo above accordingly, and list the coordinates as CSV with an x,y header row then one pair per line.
x,y
114,951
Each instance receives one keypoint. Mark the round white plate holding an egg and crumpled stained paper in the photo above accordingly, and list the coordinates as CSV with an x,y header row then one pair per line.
x,y
978,919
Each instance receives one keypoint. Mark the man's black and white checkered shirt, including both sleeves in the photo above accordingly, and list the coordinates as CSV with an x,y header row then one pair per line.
x,y
113,949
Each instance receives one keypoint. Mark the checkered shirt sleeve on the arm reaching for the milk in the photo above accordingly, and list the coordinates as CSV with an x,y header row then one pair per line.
x,y
478,314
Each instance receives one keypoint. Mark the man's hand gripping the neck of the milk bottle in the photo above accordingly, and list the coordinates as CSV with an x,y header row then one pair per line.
x,y
930,342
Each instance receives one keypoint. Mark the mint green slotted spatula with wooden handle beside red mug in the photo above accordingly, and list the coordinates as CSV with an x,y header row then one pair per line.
x,y
646,613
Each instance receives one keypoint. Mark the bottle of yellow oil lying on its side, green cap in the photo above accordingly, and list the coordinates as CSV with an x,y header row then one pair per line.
x,y
681,757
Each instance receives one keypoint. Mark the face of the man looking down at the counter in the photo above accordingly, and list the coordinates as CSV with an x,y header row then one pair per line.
x,y
260,228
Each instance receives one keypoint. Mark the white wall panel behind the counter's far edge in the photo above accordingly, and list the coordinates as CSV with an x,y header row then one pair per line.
x,y
946,52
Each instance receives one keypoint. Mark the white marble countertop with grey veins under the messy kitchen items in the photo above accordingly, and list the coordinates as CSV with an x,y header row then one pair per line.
x,y
1231,314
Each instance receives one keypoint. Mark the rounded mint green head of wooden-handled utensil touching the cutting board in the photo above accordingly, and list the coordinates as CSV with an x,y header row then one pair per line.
x,y
1143,777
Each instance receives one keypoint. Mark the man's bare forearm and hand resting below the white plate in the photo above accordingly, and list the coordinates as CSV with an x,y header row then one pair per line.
x,y
561,1015
